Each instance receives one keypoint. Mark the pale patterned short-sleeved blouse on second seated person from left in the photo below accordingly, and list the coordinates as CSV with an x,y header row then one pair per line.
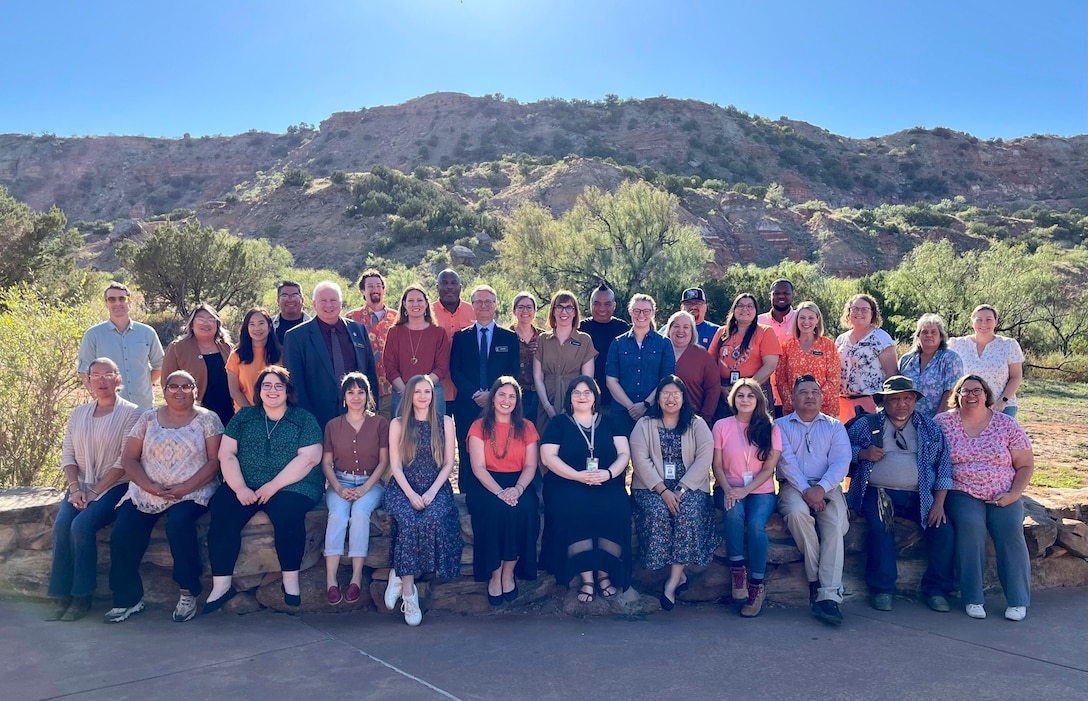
x,y
171,457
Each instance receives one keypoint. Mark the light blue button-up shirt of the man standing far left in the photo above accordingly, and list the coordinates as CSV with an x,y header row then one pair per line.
x,y
137,351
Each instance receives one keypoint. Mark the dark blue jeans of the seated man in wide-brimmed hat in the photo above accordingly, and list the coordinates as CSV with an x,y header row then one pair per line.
x,y
881,570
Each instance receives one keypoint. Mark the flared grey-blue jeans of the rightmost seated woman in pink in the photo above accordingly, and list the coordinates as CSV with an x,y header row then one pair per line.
x,y
973,520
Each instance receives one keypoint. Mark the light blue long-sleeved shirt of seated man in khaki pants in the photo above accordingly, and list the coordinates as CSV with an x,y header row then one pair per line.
x,y
814,454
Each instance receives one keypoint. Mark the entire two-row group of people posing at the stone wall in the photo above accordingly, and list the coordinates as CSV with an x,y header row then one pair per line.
x,y
380,407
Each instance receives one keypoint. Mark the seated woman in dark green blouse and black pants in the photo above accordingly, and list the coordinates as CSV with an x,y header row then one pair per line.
x,y
270,457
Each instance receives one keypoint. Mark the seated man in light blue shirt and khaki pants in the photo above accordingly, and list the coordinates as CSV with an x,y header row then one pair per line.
x,y
815,459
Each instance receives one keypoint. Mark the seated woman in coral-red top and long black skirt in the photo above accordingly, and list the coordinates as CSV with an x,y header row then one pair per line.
x,y
505,512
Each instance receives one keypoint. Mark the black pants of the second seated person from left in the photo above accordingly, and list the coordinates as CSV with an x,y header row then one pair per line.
x,y
132,533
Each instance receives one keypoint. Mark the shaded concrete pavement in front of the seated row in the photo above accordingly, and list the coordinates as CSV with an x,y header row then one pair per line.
x,y
694,653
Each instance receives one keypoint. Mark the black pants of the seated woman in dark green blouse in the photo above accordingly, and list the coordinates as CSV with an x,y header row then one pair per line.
x,y
286,510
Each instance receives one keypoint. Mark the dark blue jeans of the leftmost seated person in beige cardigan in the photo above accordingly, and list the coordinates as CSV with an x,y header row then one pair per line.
x,y
76,550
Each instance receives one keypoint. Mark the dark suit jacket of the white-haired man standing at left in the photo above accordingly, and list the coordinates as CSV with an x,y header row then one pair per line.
x,y
307,359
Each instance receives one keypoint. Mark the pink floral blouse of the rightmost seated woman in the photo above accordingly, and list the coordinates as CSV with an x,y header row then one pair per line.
x,y
983,466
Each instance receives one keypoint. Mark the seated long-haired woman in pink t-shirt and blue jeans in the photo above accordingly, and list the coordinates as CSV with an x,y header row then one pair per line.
x,y
747,447
